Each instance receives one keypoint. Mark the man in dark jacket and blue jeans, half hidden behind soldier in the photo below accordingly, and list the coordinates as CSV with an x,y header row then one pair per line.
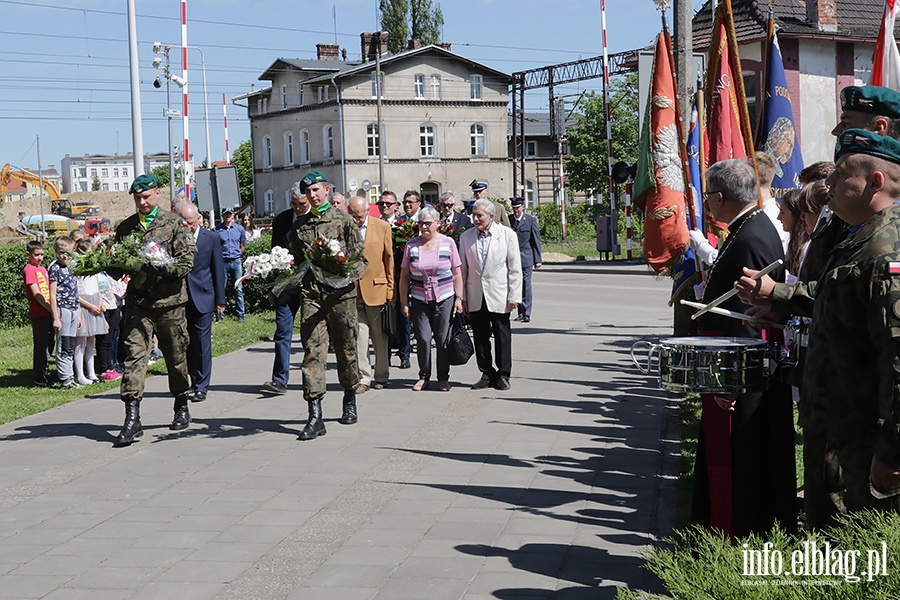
x,y
285,313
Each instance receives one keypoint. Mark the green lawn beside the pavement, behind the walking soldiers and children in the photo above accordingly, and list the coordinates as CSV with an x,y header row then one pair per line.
x,y
19,398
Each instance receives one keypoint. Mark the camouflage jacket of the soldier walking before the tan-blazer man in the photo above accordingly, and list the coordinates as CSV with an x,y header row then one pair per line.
x,y
333,225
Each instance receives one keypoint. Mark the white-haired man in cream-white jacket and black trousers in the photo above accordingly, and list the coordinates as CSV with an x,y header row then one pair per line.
x,y
492,287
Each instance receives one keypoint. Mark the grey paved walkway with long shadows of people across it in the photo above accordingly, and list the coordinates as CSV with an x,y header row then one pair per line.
x,y
549,490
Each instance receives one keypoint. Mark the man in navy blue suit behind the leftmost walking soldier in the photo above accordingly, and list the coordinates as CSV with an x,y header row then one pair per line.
x,y
206,295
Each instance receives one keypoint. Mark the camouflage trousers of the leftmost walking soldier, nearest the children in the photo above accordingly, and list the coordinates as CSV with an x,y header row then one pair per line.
x,y
170,326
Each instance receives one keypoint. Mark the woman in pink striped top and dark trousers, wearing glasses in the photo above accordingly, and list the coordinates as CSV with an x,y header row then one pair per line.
x,y
430,276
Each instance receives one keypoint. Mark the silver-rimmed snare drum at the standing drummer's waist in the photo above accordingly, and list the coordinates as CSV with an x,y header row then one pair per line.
x,y
709,365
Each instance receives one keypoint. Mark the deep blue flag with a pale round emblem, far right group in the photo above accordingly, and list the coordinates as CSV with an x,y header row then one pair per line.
x,y
778,134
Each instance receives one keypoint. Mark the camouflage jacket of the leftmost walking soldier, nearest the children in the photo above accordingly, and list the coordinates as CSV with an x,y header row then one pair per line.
x,y
153,291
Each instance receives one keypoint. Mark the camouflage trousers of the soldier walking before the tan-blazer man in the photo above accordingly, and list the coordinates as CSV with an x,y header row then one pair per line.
x,y
319,320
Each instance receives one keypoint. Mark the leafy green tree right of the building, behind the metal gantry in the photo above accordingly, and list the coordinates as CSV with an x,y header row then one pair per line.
x,y
587,165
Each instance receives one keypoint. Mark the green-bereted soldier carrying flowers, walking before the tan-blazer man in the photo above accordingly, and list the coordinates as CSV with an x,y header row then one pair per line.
x,y
325,311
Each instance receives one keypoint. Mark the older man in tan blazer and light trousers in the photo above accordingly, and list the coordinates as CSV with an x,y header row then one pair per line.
x,y
375,287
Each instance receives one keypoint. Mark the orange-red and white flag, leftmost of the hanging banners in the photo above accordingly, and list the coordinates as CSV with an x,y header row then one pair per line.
x,y
661,169
